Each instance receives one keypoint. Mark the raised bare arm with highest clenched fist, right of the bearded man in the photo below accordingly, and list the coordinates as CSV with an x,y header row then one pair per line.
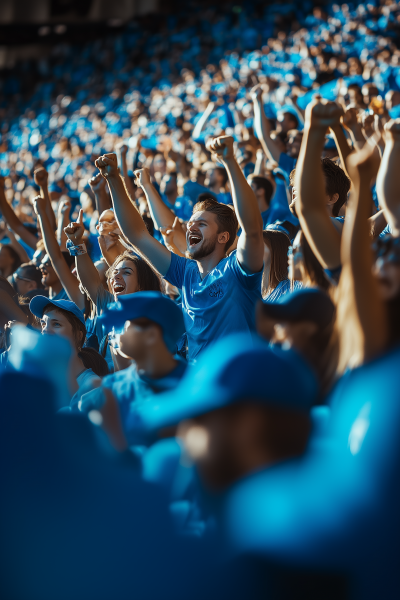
x,y
310,188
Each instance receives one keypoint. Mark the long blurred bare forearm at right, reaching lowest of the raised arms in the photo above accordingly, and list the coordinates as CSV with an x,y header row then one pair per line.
x,y
361,317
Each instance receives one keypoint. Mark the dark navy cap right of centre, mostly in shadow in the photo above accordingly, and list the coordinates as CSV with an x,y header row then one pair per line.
x,y
302,305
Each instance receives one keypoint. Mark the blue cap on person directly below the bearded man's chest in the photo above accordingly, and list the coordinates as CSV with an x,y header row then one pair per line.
x,y
151,305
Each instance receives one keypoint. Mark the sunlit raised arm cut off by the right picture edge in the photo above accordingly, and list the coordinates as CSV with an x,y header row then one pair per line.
x,y
387,183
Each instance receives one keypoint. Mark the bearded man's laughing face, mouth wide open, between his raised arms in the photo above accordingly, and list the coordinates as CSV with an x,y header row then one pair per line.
x,y
202,235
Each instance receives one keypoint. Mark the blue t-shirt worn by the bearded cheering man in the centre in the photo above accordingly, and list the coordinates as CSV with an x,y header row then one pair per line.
x,y
220,304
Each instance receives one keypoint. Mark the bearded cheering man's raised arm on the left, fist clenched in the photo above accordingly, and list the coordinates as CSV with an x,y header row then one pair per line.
x,y
129,220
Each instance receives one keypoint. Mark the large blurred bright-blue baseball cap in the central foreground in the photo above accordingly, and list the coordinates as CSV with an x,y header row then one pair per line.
x,y
233,369
